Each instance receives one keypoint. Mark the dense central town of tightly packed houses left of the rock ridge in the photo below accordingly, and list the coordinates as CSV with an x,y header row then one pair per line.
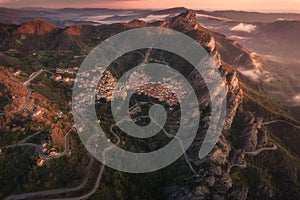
x,y
169,92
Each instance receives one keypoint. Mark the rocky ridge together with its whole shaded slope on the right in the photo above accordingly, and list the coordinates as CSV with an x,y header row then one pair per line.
x,y
237,168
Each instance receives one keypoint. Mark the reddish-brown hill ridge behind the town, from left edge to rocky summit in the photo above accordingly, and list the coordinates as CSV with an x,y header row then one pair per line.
x,y
53,37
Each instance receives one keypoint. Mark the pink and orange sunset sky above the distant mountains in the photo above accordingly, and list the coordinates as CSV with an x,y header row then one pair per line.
x,y
271,5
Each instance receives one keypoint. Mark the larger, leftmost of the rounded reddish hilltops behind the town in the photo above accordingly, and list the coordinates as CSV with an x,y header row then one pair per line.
x,y
38,27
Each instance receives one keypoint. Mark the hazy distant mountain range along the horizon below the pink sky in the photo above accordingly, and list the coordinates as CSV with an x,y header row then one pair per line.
x,y
72,16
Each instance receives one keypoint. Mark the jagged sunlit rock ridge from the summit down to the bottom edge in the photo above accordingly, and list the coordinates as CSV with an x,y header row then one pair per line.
x,y
214,171
